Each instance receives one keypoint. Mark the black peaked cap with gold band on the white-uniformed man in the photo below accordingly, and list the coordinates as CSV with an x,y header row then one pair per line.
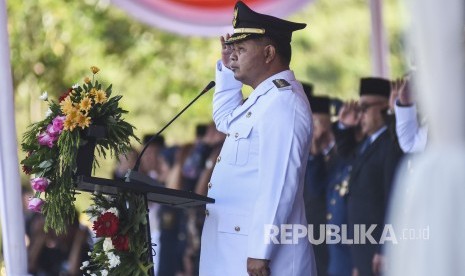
x,y
249,24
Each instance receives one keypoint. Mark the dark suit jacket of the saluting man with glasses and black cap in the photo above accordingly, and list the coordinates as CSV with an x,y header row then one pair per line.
x,y
369,188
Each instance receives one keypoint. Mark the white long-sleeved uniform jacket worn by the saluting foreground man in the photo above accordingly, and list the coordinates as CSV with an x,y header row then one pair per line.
x,y
258,179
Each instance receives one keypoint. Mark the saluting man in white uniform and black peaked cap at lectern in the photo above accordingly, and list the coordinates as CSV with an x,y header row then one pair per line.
x,y
258,179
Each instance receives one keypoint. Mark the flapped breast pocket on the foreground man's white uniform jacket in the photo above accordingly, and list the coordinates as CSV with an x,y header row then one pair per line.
x,y
241,145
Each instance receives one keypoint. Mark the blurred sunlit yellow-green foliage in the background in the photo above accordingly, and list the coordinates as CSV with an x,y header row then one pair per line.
x,y
54,42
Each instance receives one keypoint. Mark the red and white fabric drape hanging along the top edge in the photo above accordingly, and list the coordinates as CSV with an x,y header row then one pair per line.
x,y
200,17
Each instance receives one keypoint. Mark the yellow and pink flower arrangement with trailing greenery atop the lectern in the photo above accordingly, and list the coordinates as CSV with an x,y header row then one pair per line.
x,y
52,145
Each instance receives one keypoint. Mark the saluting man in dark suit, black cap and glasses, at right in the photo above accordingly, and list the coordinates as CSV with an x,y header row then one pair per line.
x,y
374,162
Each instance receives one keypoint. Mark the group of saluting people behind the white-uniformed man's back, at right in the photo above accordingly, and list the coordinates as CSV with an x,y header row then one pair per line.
x,y
357,149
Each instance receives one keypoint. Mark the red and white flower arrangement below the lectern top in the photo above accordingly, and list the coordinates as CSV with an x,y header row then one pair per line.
x,y
120,223
